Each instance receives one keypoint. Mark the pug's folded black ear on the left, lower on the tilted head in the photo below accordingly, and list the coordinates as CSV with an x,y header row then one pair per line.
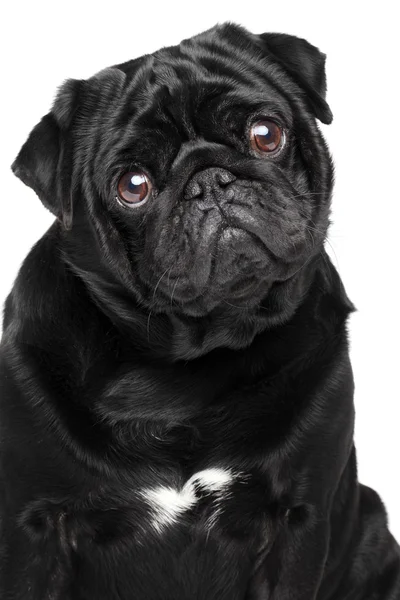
x,y
44,162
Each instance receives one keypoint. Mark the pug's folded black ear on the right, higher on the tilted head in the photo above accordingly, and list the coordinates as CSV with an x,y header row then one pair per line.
x,y
305,64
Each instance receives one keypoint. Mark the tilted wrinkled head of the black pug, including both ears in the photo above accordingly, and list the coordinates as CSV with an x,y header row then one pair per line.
x,y
197,175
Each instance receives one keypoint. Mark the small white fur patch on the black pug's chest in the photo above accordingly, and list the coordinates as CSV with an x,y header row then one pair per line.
x,y
168,504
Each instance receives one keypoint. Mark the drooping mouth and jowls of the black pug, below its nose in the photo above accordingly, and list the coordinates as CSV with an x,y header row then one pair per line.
x,y
235,269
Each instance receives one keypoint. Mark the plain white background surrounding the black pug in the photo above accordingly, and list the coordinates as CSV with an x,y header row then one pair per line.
x,y
45,43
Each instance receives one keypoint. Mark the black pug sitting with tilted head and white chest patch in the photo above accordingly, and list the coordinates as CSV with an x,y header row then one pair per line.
x,y
176,393
